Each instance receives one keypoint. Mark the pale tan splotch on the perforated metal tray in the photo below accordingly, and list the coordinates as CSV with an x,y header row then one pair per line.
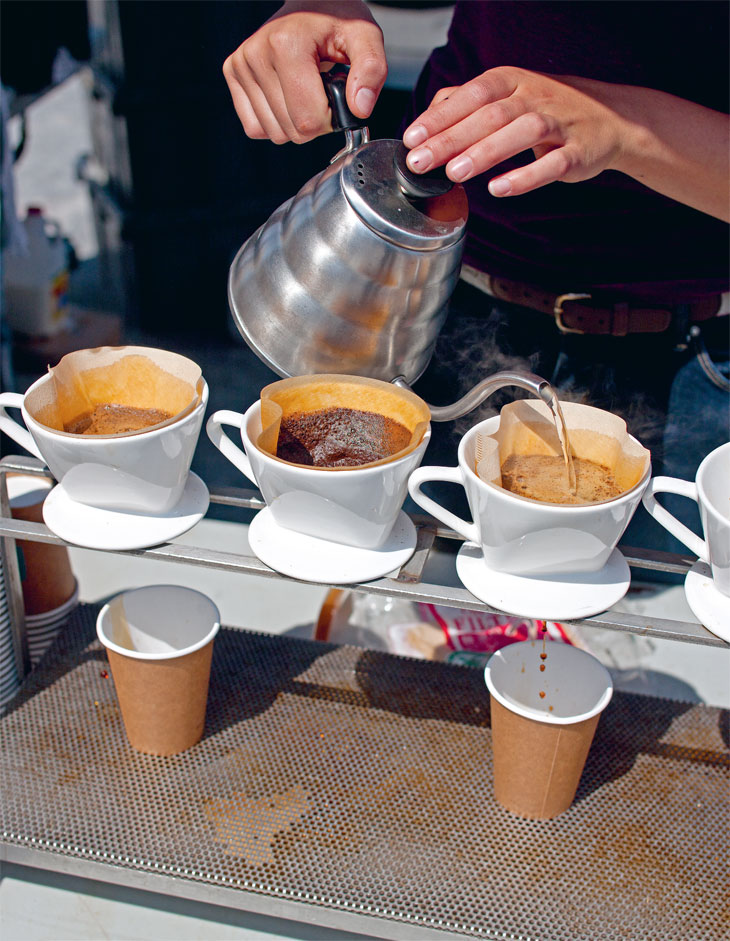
x,y
247,826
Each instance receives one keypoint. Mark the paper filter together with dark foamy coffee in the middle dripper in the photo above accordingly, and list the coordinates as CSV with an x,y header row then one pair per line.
x,y
334,422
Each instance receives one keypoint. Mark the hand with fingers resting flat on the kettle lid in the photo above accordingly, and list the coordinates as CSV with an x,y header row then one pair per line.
x,y
569,123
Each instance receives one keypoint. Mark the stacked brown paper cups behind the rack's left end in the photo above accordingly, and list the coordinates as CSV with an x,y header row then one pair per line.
x,y
50,591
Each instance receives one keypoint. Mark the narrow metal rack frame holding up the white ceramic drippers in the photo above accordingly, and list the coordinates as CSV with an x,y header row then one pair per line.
x,y
407,584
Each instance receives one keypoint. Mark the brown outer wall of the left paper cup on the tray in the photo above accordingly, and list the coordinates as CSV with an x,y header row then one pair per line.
x,y
163,702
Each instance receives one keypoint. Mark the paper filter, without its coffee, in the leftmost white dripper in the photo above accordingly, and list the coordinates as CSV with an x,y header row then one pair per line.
x,y
138,377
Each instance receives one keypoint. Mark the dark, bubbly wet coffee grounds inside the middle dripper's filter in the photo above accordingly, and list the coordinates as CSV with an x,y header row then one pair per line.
x,y
339,437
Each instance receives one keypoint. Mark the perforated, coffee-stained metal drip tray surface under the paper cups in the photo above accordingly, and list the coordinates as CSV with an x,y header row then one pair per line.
x,y
360,783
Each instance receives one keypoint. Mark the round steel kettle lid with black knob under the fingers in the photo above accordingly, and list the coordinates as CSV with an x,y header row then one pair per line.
x,y
421,218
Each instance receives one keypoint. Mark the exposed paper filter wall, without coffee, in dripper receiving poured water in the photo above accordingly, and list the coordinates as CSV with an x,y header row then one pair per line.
x,y
528,427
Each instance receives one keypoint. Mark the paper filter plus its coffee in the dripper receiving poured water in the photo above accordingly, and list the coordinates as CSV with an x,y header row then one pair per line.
x,y
525,454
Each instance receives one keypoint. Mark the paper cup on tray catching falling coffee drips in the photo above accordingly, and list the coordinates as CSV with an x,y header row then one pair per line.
x,y
543,723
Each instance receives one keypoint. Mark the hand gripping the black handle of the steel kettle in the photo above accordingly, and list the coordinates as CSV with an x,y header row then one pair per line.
x,y
274,77
